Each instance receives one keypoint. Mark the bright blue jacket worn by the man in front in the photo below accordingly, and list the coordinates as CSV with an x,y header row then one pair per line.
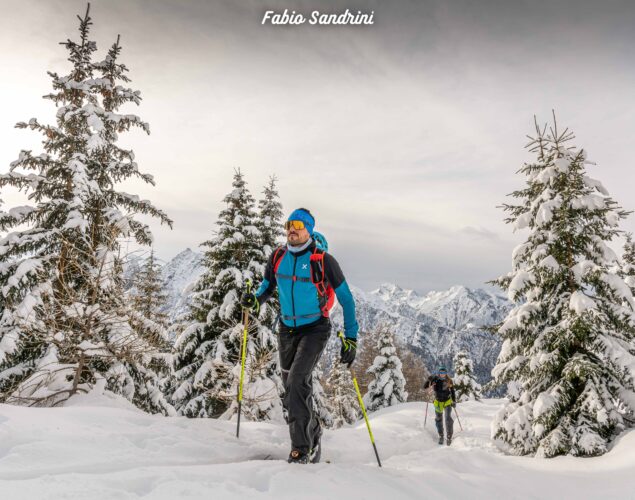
x,y
299,300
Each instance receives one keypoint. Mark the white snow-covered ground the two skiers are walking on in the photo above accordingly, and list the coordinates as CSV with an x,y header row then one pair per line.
x,y
101,448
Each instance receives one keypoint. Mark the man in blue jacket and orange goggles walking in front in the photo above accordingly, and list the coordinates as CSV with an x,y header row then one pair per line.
x,y
296,269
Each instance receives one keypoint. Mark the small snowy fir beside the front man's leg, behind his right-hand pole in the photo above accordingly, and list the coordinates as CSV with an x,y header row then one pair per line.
x,y
342,403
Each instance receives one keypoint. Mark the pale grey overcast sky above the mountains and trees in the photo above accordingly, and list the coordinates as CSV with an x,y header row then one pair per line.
x,y
401,137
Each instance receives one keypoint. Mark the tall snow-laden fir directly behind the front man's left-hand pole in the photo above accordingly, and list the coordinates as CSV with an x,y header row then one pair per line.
x,y
207,351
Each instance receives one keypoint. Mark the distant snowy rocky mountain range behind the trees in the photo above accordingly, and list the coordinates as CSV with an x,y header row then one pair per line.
x,y
435,325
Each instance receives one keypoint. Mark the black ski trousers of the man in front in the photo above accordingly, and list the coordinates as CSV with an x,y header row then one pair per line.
x,y
300,351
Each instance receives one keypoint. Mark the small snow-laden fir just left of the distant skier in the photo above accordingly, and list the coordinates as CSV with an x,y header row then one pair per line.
x,y
388,385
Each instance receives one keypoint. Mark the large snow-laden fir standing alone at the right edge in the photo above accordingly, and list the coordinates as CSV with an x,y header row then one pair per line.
x,y
565,355
